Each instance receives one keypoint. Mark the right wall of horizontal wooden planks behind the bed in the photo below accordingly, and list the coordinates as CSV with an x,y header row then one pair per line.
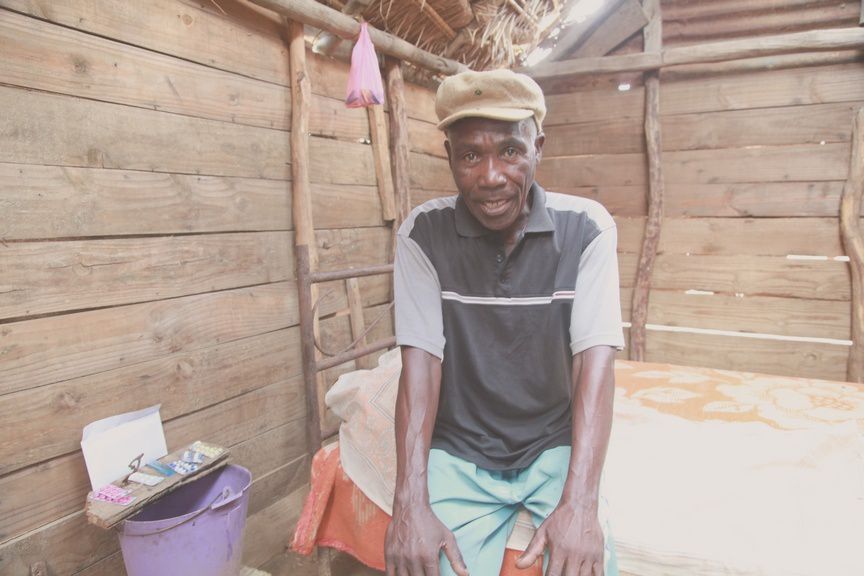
x,y
755,163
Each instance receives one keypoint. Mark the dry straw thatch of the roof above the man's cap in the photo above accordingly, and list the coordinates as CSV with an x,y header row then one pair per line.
x,y
482,34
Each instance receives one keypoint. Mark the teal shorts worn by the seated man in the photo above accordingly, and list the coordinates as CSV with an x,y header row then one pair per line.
x,y
480,506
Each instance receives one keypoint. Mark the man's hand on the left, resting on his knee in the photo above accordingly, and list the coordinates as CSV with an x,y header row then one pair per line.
x,y
414,541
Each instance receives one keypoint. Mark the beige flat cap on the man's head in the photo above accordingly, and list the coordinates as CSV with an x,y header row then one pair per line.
x,y
495,94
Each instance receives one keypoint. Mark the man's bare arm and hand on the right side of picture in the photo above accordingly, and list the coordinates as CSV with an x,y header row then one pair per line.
x,y
572,532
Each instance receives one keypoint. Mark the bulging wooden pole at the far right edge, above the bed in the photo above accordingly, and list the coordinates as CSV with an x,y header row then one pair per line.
x,y
853,244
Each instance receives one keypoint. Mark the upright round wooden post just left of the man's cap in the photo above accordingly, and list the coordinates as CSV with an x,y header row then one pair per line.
x,y
399,144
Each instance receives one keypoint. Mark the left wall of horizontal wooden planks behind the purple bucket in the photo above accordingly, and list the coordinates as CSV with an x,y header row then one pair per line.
x,y
146,251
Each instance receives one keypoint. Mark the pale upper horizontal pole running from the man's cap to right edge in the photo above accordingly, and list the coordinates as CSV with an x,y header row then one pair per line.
x,y
810,41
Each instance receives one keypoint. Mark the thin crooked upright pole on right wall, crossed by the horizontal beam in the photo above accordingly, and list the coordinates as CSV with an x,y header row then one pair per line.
x,y
653,37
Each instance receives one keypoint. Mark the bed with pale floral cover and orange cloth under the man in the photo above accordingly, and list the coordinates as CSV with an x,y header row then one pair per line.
x,y
708,472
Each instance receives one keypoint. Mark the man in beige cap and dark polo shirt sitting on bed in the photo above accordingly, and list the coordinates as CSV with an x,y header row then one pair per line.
x,y
508,316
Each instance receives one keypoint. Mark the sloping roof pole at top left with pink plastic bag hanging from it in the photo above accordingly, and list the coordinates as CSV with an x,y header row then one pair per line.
x,y
320,16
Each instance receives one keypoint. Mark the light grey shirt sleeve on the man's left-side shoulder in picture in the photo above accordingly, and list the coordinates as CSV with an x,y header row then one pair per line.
x,y
417,292
